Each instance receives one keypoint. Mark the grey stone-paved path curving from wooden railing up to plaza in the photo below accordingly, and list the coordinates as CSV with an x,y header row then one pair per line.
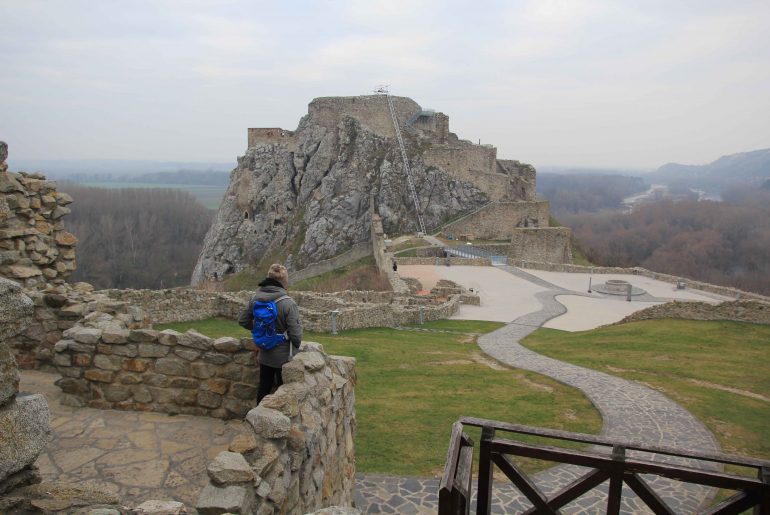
x,y
630,411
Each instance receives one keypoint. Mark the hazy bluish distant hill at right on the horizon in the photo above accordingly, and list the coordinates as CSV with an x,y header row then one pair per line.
x,y
745,168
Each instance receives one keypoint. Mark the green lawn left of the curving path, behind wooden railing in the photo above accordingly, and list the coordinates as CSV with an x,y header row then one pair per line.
x,y
413,385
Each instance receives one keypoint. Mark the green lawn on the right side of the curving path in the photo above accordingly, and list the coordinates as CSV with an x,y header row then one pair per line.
x,y
716,370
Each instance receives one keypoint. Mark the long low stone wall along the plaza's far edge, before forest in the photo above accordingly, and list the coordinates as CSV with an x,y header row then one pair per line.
x,y
697,285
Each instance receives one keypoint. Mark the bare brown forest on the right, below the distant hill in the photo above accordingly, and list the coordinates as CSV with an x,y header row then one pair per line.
x,y
724,243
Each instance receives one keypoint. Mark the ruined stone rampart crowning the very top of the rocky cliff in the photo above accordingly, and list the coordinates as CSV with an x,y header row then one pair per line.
x,y
371,111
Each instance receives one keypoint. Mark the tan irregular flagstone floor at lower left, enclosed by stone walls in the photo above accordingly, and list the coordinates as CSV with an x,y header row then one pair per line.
x,y
138,456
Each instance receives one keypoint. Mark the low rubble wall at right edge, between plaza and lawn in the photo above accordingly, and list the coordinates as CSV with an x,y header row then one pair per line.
x,y
752,311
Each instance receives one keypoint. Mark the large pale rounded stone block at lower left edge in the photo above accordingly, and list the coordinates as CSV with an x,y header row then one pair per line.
x,y
26,431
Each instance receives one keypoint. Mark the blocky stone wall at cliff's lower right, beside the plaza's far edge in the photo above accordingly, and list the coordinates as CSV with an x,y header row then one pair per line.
x,y
544,244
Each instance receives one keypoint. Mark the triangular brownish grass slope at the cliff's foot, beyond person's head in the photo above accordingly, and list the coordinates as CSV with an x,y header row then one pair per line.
x,y
361,275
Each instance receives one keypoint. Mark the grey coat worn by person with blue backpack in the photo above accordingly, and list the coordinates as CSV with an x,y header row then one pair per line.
x,y
286,321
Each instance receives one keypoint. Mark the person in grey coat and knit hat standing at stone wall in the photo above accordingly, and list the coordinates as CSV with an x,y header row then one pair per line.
x,y
273,288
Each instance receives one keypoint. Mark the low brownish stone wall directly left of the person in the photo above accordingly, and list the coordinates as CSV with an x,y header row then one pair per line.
x,y
106,364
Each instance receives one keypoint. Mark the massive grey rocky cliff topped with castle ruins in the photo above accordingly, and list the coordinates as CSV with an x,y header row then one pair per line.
x,y
303,196
